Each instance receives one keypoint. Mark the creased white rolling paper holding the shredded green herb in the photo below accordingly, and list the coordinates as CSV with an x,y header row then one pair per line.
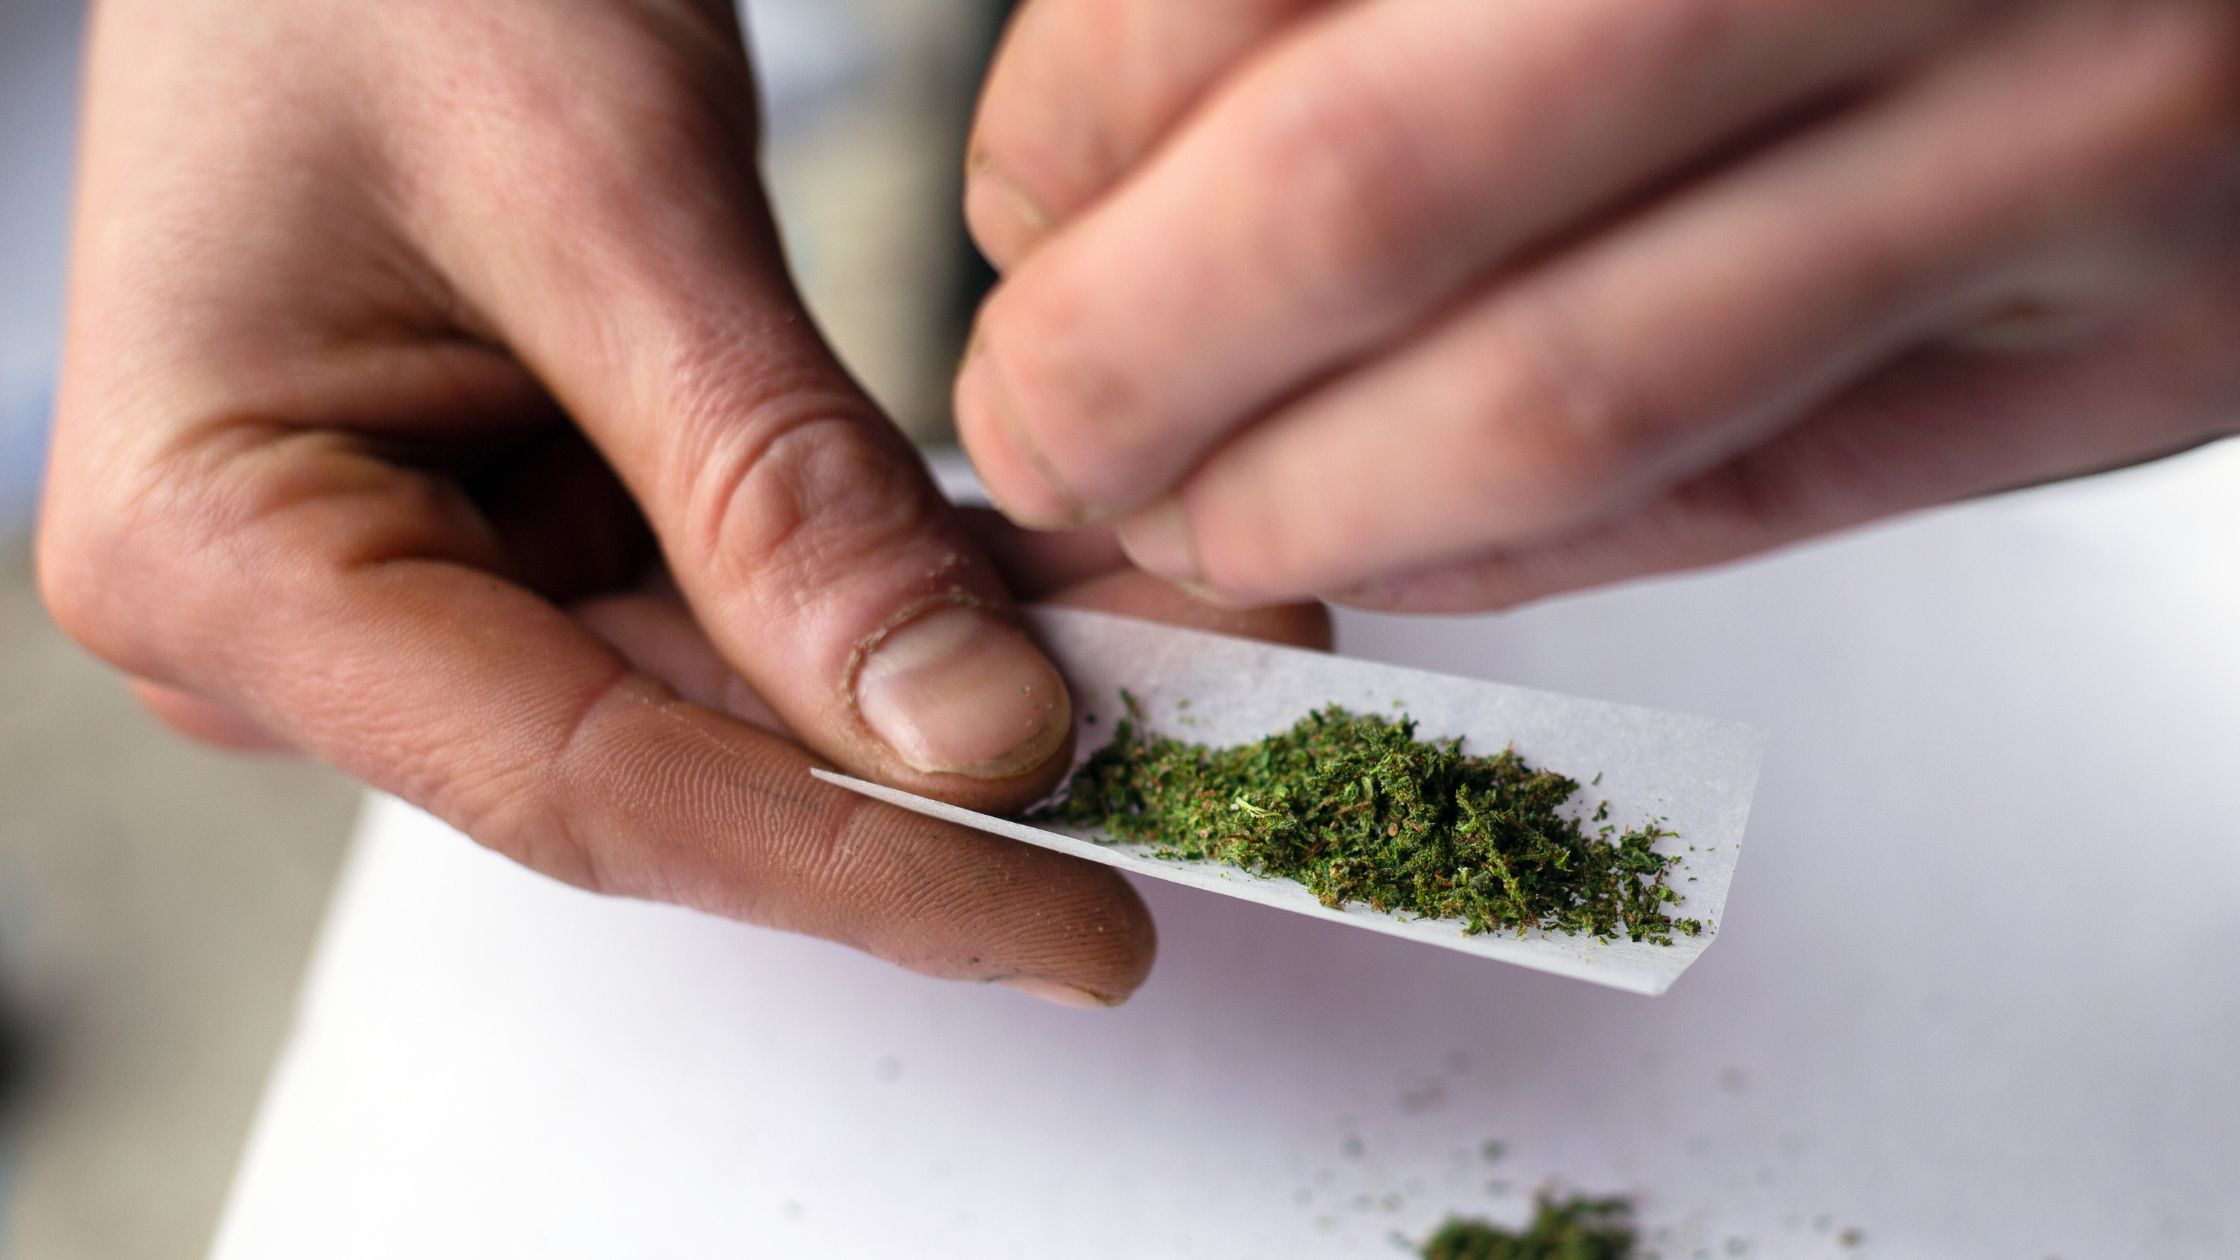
x,y
1692,775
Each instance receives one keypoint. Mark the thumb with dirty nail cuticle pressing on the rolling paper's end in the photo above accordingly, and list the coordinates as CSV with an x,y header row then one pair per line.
x,y
644,284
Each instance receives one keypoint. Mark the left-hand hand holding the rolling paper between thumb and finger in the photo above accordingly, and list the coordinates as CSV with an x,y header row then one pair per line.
x,y
404,337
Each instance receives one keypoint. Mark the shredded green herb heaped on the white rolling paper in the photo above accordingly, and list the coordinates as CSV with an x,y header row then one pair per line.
x,y
1361,810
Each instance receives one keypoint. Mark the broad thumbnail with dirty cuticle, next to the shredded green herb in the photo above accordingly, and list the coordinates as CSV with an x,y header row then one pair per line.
x,y
962,692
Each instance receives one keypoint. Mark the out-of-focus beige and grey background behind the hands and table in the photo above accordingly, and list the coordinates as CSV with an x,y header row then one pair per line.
x,y
158,902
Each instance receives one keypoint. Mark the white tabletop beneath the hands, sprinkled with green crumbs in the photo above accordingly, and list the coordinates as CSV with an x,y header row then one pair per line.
x,y
1977,994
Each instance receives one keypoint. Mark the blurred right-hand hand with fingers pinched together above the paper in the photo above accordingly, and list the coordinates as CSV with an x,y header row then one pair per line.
x,y
1448,304
